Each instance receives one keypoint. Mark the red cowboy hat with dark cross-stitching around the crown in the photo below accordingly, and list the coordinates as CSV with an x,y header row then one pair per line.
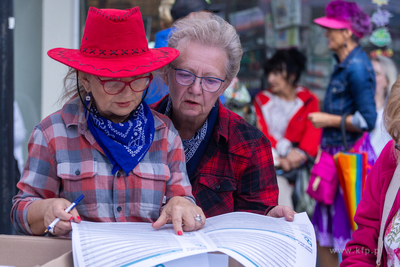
x,y
114,45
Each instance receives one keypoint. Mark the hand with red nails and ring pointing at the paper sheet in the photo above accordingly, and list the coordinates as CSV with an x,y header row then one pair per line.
x,y
182,213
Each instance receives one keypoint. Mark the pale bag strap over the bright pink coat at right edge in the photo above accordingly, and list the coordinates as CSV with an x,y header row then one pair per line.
x,y
388,204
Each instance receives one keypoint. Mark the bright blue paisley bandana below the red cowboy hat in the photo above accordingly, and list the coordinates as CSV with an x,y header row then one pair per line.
x,y
125,144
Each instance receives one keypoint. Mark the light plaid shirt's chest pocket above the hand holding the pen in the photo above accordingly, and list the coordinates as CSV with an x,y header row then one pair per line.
x,y
80,178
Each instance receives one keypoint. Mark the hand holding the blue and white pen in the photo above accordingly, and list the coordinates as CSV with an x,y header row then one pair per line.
x,y
43,212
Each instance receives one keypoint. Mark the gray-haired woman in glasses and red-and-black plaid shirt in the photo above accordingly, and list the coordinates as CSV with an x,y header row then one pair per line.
x,y
229,162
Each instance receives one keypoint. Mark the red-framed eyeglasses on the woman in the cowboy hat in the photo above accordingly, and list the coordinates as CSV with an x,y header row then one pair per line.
x,y
114,86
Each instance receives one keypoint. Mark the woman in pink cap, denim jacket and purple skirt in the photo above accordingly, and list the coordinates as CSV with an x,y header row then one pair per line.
x,y
350,92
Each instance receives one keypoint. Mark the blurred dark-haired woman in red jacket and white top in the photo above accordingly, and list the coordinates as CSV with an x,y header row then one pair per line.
x,y
282,112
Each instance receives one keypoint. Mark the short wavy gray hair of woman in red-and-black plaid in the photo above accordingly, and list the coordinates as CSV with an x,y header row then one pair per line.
x,y
209,30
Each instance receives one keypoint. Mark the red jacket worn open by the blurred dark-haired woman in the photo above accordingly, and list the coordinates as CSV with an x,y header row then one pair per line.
x,y
299,130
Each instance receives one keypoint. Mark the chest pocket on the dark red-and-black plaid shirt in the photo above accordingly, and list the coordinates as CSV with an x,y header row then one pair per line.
x,y
217,193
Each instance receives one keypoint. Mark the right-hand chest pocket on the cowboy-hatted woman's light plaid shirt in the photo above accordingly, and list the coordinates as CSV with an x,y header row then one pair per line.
x,y
150,179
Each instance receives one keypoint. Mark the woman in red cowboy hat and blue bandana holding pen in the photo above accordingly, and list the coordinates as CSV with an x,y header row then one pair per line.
x,y
105,143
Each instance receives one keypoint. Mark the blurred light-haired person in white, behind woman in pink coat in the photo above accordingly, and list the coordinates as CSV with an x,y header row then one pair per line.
x,y
385,75
